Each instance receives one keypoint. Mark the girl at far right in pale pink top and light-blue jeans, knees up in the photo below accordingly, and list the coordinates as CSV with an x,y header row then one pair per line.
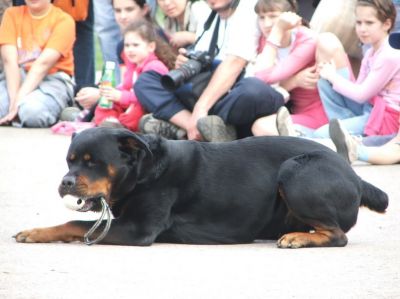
x,y
371,104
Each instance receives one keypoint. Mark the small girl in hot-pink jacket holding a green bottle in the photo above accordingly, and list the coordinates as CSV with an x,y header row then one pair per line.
x,y
141,46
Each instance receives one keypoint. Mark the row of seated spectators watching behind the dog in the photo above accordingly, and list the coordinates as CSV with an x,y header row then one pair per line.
x,y
217,71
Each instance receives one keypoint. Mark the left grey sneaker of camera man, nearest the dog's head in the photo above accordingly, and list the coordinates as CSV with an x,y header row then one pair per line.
x,y
151,125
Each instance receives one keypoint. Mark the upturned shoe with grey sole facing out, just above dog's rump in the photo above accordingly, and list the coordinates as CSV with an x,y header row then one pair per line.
x,y
346,145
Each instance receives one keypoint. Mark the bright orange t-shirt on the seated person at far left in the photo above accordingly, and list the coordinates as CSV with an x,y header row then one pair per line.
x,y
31,36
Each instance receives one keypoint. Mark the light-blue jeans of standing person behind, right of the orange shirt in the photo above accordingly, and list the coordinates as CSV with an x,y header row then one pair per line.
x,y
108,32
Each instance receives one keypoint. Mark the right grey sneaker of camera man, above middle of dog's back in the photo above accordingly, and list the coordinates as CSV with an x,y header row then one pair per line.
x,y
213,129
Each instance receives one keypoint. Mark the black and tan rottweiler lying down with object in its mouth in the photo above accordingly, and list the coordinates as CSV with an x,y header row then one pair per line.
x,y
273,188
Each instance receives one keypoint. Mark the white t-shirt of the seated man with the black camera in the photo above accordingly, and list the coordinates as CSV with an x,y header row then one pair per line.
x,y
238,35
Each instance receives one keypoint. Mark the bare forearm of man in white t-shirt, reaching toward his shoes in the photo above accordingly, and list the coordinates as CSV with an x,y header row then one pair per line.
x,y
221,82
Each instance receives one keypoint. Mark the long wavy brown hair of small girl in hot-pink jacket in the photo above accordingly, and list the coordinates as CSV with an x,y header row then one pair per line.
x,y
147,31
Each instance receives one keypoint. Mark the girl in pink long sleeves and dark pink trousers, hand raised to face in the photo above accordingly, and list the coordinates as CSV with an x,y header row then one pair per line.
x,y
288,58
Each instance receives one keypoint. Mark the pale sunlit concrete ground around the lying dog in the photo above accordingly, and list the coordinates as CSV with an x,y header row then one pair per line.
x,y
32,164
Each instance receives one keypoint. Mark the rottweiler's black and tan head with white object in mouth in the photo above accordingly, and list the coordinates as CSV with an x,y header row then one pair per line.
x,y
103,162
